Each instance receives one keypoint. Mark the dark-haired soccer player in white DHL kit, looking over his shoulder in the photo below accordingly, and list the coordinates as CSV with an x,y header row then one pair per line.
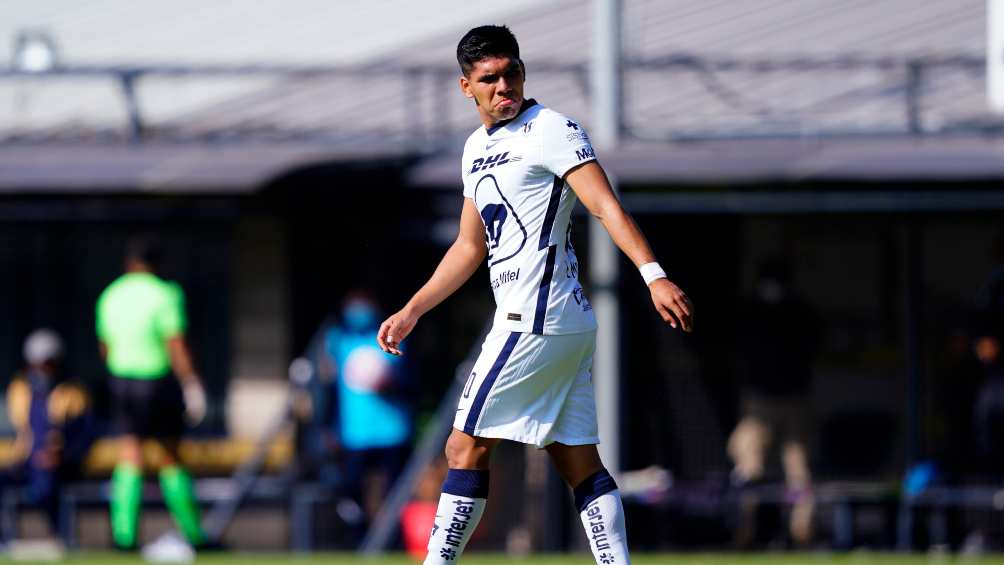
x,y
523,173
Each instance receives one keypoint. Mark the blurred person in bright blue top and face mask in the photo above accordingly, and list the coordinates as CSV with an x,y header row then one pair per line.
x,y
370,412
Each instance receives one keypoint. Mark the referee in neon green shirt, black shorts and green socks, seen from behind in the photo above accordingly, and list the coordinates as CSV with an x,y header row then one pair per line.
x,y
141,332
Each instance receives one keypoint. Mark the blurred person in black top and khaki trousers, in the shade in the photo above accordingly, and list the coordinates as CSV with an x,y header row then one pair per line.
x,y
780,337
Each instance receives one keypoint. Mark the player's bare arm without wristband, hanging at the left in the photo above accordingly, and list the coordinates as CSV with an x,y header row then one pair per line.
x,y
458,264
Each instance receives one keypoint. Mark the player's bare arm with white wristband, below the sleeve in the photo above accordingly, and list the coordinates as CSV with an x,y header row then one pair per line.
x,y
594,190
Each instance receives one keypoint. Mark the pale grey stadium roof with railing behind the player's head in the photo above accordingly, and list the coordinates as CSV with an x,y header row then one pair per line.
x,y
713,91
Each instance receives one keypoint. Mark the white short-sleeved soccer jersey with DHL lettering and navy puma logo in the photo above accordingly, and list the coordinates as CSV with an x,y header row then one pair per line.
x,y
515,173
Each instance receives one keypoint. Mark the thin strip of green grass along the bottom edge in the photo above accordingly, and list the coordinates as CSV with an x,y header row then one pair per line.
x,y
854,558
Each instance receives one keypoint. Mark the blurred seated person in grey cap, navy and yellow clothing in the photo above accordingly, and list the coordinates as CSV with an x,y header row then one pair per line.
x,y
52,414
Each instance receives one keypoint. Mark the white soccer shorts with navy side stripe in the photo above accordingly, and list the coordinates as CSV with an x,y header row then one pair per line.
x,y
532,389
